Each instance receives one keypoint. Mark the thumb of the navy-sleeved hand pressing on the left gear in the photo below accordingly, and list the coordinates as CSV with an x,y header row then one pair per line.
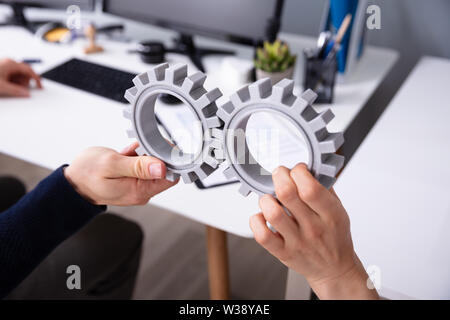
x,y
143,167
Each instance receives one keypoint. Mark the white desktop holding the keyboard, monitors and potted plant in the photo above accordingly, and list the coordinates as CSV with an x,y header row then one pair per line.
x,y
57,123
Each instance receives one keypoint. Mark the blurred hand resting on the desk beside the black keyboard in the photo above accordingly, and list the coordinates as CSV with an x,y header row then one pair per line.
x,y
15,78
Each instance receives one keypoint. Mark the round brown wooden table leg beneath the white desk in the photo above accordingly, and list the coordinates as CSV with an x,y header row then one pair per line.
x,y
217,263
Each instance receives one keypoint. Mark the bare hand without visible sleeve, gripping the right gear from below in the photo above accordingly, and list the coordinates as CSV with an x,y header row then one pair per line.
x,y
315,241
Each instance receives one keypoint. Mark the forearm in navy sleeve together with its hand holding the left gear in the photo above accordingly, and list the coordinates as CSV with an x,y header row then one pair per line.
x,y
66,200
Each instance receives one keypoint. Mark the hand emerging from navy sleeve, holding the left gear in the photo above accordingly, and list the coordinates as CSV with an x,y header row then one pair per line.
x,y
104,176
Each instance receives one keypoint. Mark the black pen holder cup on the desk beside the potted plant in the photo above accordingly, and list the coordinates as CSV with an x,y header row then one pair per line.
x,y
319,75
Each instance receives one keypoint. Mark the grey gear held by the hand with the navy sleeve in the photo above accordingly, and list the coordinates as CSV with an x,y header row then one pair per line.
x,y
141,111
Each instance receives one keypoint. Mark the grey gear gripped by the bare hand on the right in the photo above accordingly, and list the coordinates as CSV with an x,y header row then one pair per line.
x,y
262,96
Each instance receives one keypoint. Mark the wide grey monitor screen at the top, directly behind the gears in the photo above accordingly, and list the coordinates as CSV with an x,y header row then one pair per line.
x,y
236,20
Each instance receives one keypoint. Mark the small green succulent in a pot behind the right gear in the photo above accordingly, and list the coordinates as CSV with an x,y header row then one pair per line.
x,y
274,61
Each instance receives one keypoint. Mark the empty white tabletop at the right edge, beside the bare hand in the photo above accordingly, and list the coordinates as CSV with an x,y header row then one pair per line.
x,y
396,188
